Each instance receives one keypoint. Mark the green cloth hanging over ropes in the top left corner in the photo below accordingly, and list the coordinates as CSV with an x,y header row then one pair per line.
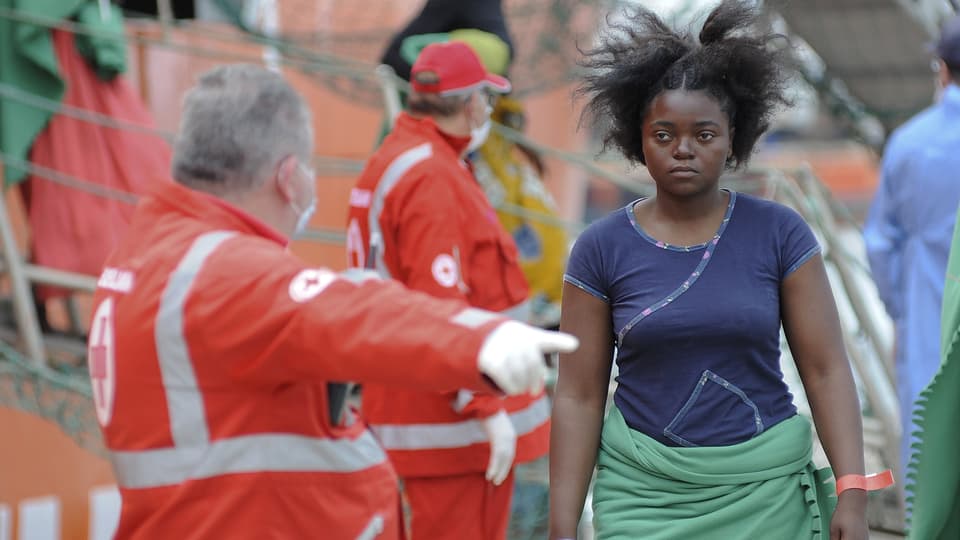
x,y
28,61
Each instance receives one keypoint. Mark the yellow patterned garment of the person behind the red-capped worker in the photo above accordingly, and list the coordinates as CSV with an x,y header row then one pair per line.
x,y
507,178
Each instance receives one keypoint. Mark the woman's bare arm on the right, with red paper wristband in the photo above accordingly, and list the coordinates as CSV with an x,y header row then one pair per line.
x,y
812,326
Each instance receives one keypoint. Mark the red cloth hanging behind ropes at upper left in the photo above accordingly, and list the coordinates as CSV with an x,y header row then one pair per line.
x,y
71,229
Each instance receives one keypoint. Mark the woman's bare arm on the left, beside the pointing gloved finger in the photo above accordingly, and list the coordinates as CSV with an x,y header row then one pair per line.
x,y
578,406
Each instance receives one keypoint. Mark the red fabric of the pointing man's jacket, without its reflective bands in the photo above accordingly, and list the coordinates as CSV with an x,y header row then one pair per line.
x,y
261,359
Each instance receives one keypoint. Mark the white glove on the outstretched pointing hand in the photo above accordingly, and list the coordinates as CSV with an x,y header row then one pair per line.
x,y
513,356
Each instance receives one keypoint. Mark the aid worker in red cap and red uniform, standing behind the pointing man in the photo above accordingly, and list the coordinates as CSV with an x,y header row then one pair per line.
x,y
418,215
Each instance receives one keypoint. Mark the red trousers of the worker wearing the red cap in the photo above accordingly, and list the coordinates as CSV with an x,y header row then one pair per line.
x,y
464,507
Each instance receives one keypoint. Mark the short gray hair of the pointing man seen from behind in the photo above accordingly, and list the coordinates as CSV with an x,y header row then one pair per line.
x,y
238,122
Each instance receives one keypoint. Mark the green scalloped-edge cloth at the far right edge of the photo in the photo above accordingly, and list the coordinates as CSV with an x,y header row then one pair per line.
x,y
935,469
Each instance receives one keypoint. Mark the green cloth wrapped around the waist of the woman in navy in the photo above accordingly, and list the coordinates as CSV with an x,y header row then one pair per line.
x,y
766,487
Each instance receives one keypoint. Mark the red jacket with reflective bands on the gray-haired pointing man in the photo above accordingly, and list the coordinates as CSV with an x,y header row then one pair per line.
x,y
209,351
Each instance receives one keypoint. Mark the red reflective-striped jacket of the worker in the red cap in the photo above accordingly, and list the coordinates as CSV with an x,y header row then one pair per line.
x,y
418,215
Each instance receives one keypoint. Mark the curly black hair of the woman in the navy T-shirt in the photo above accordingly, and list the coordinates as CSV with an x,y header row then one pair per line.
x,y
640,58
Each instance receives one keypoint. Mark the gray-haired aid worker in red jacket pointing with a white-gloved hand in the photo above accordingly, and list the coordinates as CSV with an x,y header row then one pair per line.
x,y
212,346
